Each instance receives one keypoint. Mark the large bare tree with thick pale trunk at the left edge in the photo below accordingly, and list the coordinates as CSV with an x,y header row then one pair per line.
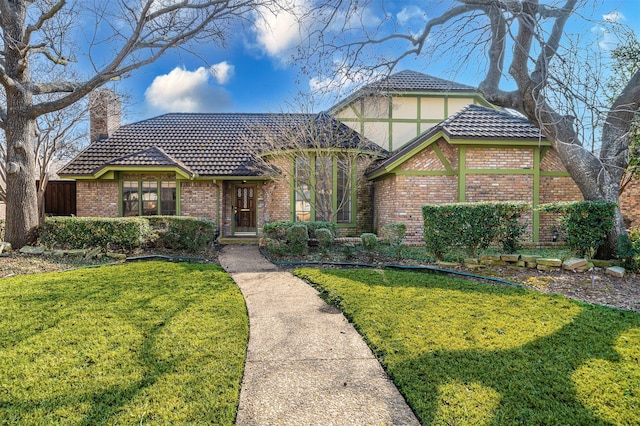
x,y
121,36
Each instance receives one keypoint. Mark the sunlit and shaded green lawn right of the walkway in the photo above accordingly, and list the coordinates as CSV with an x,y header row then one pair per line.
x,y
463,352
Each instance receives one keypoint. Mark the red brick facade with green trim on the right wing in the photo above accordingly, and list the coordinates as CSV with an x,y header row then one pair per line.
x,y
491,174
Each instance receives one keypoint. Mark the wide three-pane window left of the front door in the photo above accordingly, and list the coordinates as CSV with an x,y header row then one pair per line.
x,y
149,198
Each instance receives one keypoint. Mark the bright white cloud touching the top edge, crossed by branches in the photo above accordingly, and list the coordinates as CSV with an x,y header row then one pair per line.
x,y
279,30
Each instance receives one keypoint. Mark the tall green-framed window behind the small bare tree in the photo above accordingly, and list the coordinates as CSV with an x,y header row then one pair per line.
x,y
323,189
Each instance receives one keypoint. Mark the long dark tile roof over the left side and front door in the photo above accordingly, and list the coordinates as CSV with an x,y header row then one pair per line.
x,y
202,144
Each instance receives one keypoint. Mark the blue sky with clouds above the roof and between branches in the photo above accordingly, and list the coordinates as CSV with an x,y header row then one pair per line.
x,y
252,73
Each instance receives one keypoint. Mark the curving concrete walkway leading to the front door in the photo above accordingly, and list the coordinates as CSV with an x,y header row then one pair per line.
x,y
306,365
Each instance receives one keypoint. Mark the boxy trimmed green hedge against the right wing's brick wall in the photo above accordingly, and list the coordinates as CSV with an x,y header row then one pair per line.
x,y
472,226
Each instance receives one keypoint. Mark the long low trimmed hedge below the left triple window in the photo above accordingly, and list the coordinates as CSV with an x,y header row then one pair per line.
x,y
174,232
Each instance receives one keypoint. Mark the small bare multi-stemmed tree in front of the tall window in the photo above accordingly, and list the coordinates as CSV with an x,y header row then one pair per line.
x,y
317,157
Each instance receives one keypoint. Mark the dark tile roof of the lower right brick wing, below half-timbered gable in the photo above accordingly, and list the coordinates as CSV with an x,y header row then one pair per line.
x,y
472,122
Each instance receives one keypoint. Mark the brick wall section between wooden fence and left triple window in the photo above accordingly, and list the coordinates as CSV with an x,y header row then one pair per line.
x,y
97,198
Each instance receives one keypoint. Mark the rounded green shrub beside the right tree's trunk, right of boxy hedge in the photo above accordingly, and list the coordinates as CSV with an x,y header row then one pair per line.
x,y
584,223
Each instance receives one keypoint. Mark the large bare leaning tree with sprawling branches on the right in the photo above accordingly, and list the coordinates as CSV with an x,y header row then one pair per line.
x,y
525,44
